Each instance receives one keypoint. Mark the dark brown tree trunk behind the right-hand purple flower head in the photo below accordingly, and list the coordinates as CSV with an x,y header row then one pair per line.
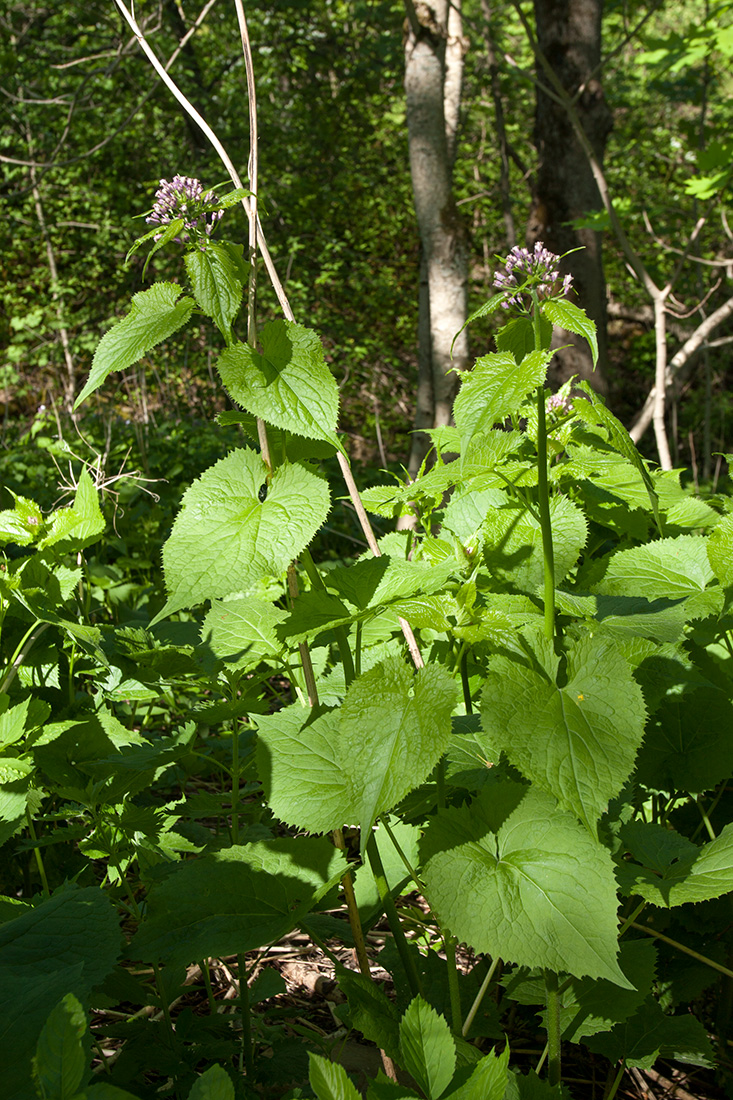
x,y
570,36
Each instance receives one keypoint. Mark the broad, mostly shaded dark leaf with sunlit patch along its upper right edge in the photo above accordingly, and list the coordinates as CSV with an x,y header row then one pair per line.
x,y
236,900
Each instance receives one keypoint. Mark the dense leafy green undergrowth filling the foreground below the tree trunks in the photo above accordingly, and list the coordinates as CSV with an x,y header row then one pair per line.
x,y
518,712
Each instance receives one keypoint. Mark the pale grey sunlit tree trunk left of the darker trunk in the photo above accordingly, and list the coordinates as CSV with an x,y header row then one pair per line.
x,y
434,64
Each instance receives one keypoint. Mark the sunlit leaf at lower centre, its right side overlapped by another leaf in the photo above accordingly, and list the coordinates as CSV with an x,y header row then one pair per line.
x,y
301,768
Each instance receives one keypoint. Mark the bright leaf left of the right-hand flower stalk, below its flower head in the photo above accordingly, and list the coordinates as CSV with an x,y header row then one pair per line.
x,y
495,389
